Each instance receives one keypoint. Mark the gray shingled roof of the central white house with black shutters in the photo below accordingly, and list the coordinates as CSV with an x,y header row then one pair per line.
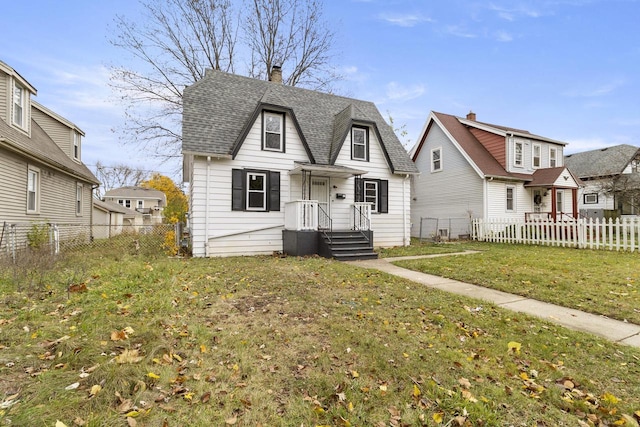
x,y
219,109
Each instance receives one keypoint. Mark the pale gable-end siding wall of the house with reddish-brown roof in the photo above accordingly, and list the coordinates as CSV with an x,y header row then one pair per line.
x,y
455,192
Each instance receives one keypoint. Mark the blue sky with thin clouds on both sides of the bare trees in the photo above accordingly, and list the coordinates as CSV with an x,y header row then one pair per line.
x,y
564,69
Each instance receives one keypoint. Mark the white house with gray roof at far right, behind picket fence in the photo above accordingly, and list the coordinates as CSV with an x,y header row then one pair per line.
x,y
611,177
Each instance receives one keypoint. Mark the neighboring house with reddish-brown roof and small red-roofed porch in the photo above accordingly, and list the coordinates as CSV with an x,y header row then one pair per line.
x,y
471,169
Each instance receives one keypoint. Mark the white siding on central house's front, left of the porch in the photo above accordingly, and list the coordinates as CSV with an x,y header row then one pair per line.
x,y
226,232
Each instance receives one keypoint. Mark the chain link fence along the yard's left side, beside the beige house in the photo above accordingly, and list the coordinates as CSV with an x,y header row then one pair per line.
x,y
17,240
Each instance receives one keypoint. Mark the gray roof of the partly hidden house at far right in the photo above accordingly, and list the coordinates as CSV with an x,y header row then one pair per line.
x,y
609,161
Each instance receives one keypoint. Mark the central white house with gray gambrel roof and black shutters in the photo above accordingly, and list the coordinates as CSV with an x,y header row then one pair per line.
x,y
273,167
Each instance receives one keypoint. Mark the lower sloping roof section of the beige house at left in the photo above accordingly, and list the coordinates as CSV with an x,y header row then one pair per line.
x,y
42,147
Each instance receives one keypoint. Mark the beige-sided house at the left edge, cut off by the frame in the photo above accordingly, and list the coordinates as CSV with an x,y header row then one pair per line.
x,y
42,175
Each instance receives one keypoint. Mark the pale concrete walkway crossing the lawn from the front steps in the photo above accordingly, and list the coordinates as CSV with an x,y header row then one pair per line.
x,y
613,330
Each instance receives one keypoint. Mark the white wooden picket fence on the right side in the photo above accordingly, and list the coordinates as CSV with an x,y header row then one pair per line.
x,y
620,234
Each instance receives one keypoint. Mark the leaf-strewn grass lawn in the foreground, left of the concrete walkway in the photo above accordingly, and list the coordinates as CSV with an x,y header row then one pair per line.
x,y
153,341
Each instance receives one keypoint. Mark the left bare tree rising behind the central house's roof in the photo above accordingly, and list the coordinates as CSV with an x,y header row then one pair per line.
x,y
177,41
